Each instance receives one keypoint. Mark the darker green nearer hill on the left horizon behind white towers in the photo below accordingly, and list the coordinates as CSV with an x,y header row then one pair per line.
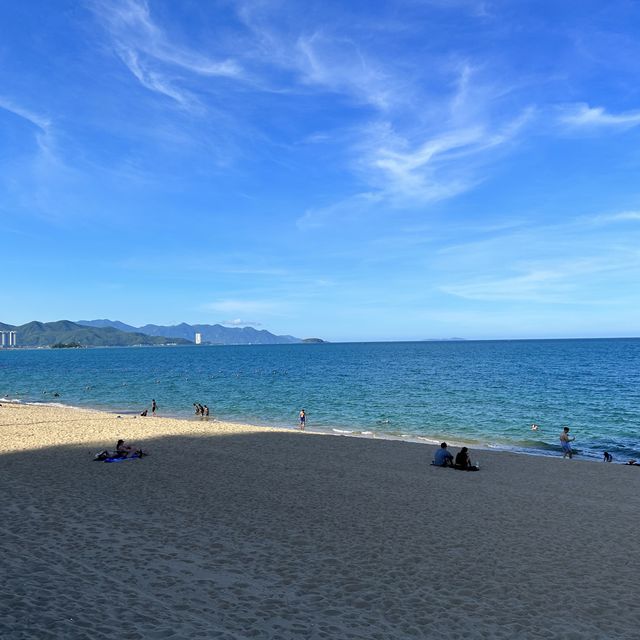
x,y
43,334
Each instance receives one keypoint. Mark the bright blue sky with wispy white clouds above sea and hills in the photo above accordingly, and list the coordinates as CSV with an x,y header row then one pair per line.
x,y
348,170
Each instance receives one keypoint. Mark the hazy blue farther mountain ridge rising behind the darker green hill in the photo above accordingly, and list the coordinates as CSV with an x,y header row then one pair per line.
x,y
212,333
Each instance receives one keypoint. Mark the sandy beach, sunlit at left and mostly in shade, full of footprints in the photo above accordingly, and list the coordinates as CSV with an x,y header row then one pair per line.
x,y
228,531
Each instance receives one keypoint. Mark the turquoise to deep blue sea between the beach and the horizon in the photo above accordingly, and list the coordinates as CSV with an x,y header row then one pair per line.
x,y
484,393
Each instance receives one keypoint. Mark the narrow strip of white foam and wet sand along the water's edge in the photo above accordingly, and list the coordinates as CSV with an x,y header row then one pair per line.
x,y
365,434
